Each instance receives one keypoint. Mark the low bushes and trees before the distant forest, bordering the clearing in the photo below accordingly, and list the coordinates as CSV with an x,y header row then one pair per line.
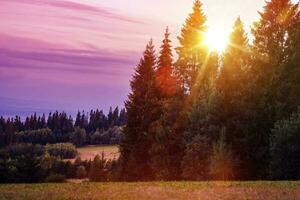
x,y
32,163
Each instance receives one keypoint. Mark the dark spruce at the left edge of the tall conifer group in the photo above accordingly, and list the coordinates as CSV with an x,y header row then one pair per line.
x,y
142,109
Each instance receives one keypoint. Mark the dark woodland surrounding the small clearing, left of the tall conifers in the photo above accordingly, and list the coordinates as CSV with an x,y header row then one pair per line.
x,y
39,149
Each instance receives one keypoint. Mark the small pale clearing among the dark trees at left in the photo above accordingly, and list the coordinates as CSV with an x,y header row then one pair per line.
x,y
89,152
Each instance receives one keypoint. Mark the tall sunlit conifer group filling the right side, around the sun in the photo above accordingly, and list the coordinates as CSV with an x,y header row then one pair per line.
x,y
225,116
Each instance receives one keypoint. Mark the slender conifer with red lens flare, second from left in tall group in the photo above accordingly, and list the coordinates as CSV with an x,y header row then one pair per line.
x,y
166,150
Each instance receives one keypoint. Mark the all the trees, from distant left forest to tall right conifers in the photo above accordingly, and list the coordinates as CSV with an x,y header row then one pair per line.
x,y
192,113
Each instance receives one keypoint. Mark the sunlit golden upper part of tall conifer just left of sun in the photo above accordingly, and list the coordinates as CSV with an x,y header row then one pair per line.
x,y
192,51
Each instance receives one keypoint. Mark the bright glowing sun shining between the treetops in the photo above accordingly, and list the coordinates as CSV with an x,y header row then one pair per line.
x,y
216,39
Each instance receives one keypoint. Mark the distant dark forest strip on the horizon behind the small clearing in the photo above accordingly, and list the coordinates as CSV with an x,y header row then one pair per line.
x,y
88,128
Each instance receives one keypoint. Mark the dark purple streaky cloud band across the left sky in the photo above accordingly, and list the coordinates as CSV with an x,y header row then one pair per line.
x,y
80,61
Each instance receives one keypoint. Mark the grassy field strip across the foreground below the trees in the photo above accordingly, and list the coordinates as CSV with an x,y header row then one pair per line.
x,y
155,190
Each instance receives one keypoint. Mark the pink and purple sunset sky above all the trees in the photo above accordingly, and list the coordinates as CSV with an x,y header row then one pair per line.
x,y
80,54
